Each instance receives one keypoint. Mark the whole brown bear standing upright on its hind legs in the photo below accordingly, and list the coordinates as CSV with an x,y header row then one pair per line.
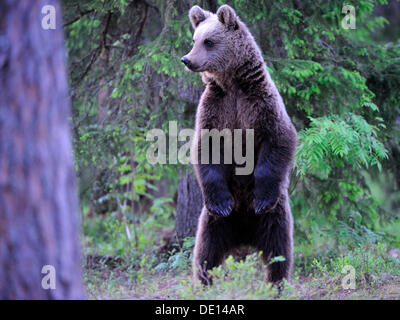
x,y
240,210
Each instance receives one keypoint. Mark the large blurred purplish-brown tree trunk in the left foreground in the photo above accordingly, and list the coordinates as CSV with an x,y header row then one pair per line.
x,y
39,213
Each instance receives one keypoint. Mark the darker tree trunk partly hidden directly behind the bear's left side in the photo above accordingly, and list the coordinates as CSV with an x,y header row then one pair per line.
x,y
189,205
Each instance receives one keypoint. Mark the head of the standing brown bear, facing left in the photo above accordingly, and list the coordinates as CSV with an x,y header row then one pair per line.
x,y
217,40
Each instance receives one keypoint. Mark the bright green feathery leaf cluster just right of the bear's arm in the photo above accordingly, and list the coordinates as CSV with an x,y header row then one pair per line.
x,y
332,141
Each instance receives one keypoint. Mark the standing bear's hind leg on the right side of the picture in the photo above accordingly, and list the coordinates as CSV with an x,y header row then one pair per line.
x,y
274,239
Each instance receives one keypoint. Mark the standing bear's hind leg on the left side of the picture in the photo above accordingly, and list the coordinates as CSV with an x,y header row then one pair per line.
x,y
213,242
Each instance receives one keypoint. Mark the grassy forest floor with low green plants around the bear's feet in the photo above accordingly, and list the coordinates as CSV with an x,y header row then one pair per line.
x,y
374,270
